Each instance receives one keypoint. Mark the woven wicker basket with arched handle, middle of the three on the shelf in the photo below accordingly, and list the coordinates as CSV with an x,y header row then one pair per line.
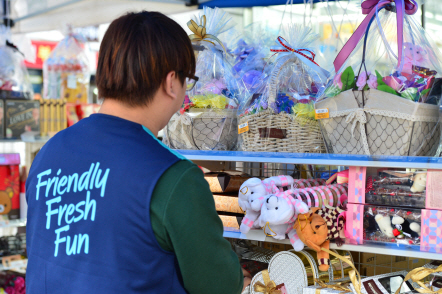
x,y
271,132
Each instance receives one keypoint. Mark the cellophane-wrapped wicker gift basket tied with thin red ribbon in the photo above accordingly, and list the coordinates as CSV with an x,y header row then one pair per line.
x,y
278,115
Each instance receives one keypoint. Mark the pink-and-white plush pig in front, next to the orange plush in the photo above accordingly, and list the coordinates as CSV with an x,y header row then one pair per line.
x,y
278,214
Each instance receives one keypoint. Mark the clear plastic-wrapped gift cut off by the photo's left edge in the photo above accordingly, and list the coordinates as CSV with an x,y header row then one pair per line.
x,y
14,77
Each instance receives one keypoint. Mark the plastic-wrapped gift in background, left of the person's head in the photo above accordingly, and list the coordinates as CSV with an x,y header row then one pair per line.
x,y
66,72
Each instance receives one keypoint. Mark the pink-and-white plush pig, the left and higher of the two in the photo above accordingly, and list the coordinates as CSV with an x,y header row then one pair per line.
x,y
252,194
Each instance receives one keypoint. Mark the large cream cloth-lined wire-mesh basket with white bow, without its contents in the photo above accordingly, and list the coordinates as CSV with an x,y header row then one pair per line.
x,y
378,123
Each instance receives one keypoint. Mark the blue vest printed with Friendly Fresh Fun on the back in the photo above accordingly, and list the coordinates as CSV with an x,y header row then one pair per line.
x,y
89,229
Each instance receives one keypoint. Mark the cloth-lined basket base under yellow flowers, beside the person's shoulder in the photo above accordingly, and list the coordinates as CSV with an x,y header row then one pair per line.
x,y
203,129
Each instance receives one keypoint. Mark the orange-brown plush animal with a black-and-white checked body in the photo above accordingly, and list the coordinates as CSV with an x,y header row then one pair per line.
x,y
317,227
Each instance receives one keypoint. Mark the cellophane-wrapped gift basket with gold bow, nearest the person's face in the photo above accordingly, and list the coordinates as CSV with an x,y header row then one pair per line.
x,y
207,120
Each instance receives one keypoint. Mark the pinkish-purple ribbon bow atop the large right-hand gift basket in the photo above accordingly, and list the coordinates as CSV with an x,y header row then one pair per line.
x,y
371,7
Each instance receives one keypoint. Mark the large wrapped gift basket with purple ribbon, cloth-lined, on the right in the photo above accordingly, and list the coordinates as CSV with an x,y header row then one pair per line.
x,y
385,96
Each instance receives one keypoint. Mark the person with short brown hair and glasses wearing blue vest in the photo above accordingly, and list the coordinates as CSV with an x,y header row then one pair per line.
x,y
113,210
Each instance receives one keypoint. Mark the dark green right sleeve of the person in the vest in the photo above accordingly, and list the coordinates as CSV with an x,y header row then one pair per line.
x,y
185,221
